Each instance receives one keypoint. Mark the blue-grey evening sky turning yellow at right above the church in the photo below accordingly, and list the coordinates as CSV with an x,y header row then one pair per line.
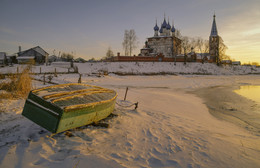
x,y
87,28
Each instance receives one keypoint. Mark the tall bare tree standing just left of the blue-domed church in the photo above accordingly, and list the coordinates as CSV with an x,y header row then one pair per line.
x,y
130,41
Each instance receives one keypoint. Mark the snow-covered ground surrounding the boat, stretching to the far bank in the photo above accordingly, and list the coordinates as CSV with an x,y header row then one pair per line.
x,y
172,126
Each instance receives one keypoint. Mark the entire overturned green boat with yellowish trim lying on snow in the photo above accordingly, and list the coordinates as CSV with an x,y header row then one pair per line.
x,y
62,107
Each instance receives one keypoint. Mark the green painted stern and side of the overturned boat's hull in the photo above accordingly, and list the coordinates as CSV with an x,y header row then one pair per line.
x,y
58,119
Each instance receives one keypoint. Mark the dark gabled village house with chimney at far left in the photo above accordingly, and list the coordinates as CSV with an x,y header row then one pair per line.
x,y
33,55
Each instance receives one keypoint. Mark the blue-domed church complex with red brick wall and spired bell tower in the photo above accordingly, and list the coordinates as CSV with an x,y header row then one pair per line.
x,y
164,46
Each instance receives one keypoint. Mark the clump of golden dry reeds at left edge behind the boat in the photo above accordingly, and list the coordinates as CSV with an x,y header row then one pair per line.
x,y
18,86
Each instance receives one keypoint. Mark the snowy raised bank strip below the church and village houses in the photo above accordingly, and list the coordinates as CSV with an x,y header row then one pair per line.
x,y
142,68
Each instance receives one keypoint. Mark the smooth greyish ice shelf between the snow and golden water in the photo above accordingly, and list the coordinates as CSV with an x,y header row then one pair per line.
x,y
224,104
